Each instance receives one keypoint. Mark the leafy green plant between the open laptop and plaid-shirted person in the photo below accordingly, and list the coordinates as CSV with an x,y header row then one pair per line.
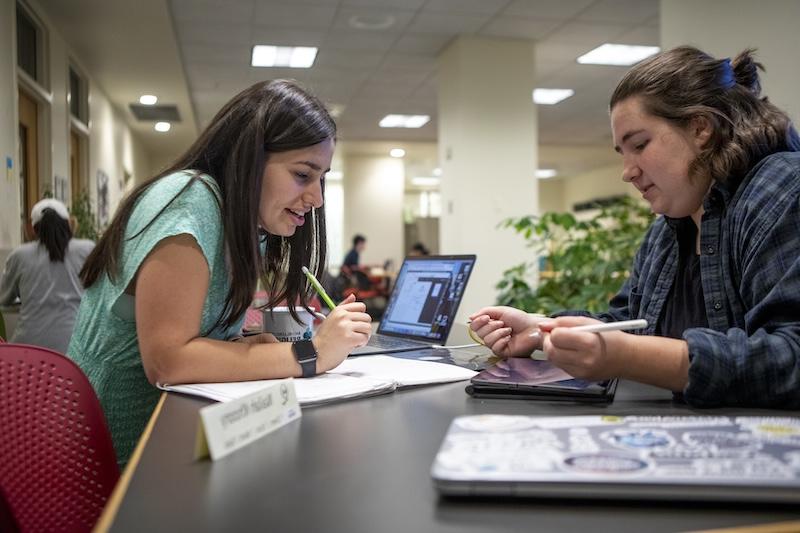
x,y
585,261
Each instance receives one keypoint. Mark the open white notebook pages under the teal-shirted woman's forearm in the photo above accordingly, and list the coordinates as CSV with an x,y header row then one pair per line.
x,y
354,378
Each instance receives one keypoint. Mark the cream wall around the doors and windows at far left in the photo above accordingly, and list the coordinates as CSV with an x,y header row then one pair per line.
x,y
112,146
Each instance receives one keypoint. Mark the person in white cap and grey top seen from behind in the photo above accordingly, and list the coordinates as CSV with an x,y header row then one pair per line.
x,y
44,275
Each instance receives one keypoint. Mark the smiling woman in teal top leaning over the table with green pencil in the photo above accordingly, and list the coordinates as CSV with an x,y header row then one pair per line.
x,y
173,275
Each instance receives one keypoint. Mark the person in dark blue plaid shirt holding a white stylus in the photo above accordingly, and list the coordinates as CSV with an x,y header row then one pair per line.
x,y
718,274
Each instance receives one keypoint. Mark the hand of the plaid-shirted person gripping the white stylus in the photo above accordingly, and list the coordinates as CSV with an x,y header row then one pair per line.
x,y
592,356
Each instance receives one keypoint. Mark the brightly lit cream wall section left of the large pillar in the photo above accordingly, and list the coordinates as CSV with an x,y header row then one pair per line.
x,y
373,206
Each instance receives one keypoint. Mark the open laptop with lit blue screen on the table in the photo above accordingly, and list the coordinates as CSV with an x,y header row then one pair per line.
x,y
423,304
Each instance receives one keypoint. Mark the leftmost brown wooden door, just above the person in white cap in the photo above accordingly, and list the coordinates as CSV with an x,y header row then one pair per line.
x,y
28,159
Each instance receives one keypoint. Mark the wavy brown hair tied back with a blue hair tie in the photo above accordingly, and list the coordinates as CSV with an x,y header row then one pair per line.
x,y
684,83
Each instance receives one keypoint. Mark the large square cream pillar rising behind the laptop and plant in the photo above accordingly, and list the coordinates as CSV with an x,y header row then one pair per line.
x,y
488,156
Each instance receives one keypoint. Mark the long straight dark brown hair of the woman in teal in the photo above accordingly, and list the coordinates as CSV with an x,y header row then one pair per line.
x,y
269,117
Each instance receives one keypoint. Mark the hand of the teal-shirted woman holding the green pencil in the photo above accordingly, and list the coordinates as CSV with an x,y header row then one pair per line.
x,y
347,327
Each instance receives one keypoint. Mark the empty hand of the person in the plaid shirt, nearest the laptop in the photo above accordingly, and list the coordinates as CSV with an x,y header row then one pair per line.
x,y
507,331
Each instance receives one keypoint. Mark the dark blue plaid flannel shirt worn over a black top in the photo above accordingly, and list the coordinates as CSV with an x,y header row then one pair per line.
x,y
750,270
